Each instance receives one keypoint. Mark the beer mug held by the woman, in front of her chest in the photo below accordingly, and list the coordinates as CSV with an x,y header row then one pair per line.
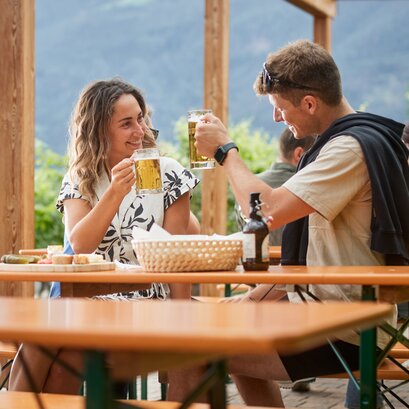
x,y
147,171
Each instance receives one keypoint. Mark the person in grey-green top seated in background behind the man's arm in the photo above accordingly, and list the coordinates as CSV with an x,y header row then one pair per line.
x,y
289,154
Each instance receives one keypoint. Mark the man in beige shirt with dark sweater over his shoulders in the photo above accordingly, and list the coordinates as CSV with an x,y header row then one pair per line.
x,y
346,205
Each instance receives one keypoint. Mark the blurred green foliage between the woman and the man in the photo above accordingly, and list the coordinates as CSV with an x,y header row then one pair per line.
x,y
257,149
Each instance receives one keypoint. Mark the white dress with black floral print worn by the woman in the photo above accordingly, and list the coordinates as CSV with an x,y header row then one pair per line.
x,y
135,210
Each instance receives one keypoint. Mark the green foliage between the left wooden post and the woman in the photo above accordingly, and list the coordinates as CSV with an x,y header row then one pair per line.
x,y
49,171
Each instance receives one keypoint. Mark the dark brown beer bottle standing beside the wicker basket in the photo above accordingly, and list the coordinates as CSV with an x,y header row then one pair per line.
x,y
255,238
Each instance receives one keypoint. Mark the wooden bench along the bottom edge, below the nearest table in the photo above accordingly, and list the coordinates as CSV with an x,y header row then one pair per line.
x,y
26,400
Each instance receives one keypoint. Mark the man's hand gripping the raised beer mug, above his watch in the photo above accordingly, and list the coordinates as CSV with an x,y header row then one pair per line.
x,y
210,134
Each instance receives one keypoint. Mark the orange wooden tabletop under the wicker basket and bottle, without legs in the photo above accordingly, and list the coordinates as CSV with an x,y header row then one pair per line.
x,y
360,275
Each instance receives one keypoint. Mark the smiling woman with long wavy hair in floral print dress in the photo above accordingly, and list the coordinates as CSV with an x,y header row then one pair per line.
x,y
100,207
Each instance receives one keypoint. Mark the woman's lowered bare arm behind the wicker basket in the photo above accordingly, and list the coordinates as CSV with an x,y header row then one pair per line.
x,y
176,221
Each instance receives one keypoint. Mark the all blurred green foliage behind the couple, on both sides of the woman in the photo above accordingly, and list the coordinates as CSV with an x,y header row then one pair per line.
x,y
256,148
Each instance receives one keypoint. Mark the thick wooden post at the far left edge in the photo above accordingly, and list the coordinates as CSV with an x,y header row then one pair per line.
x,y
17,133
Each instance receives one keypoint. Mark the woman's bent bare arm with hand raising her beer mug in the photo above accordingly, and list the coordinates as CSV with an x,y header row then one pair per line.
x,y
87,226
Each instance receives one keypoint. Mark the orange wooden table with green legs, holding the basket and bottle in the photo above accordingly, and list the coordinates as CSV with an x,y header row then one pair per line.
x,y
389,279
